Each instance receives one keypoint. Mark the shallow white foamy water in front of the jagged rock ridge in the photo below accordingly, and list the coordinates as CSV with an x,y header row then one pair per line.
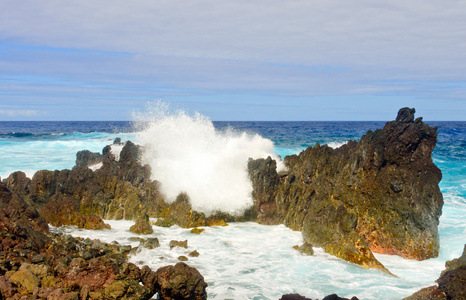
x,y
253,261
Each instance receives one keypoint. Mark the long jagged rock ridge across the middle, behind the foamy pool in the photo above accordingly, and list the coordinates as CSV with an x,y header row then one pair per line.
x,y
379,195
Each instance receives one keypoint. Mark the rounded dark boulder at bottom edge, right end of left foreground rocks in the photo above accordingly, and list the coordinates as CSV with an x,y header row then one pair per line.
x,y
180,282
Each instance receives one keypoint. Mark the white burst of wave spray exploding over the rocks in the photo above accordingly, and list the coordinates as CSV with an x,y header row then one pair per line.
x,y
188,155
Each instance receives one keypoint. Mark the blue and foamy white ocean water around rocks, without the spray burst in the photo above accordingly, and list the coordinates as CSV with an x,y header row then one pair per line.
x,y
32,146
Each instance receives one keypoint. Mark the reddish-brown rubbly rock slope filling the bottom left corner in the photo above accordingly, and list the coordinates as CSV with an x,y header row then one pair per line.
x,y
35,263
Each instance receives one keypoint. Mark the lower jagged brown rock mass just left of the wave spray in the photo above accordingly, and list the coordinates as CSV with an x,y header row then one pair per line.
x,y
120,189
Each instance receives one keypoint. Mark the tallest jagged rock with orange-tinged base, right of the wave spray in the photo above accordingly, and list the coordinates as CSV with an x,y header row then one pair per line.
x,y
379,195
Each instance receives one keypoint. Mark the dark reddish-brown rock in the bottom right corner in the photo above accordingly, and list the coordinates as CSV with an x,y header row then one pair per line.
x,y
451,283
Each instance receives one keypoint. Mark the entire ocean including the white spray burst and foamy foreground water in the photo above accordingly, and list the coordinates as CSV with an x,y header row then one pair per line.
x,y
244,260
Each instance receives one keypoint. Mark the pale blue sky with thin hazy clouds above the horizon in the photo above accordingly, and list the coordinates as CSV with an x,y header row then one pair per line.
x,y
268,60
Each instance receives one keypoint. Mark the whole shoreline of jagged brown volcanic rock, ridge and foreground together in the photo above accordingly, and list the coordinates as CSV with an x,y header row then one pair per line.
x,y
377,195
